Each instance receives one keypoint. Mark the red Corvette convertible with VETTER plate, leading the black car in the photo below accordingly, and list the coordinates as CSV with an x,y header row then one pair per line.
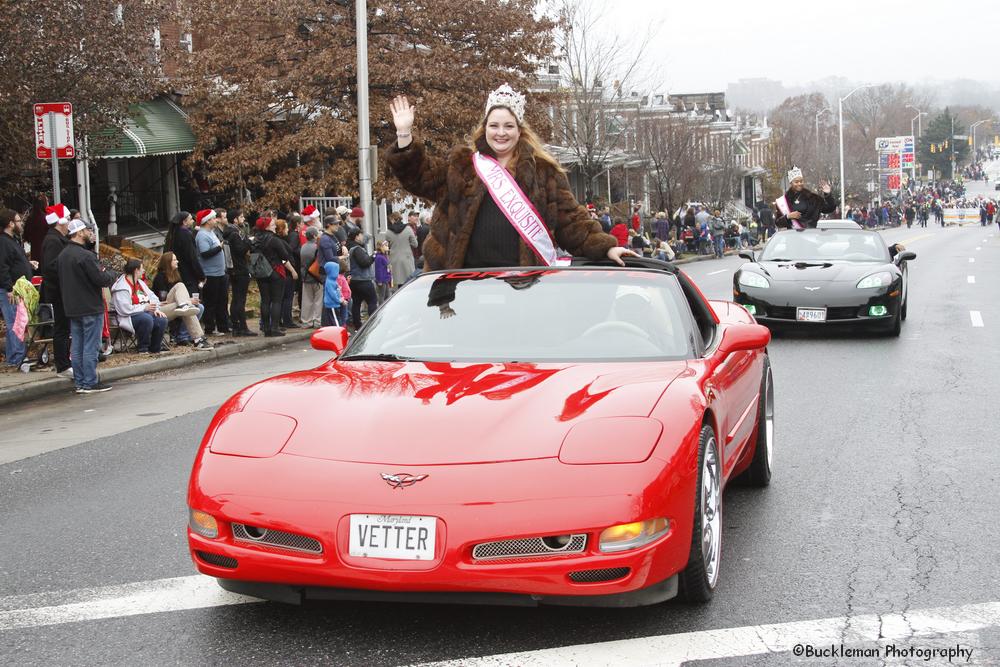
x,y
511,436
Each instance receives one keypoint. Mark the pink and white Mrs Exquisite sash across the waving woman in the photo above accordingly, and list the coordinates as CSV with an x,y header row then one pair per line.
x,y
517,208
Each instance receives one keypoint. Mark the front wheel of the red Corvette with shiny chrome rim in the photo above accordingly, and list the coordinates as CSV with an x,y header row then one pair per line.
x,y
697,582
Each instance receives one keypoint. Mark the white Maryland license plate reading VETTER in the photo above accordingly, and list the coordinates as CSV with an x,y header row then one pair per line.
x,y
393,536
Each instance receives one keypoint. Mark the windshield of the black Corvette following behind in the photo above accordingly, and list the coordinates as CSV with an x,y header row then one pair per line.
x,y
813,245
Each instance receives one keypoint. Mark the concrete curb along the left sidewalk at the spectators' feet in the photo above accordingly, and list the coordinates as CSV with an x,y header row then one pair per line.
x,y
56,385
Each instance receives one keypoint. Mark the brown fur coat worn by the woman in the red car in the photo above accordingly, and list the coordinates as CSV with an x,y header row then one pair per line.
x,y
457,192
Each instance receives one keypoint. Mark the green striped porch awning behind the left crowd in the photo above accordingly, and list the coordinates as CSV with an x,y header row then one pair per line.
x,y
157,127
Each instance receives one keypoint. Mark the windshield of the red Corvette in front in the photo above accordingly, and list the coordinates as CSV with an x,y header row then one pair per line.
x,y
553,315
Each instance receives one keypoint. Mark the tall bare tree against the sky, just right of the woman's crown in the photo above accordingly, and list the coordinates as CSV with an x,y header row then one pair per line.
x,y
599,68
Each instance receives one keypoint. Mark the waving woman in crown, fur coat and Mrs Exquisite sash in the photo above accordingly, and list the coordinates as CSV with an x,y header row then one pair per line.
x,y
480,218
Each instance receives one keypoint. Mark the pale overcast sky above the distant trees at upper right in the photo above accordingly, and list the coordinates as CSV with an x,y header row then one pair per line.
x,y
704,44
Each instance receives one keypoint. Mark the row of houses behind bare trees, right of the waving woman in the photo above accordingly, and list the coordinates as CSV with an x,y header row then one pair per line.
x,y
730,149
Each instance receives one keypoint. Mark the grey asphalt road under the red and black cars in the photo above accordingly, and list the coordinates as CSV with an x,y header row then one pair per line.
x,y
883,504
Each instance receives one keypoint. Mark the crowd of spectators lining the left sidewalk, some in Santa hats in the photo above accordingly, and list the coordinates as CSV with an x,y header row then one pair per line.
x,y
318,268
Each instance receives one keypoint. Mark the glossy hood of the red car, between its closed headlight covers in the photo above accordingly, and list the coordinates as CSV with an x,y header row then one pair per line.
x,y
439,413
